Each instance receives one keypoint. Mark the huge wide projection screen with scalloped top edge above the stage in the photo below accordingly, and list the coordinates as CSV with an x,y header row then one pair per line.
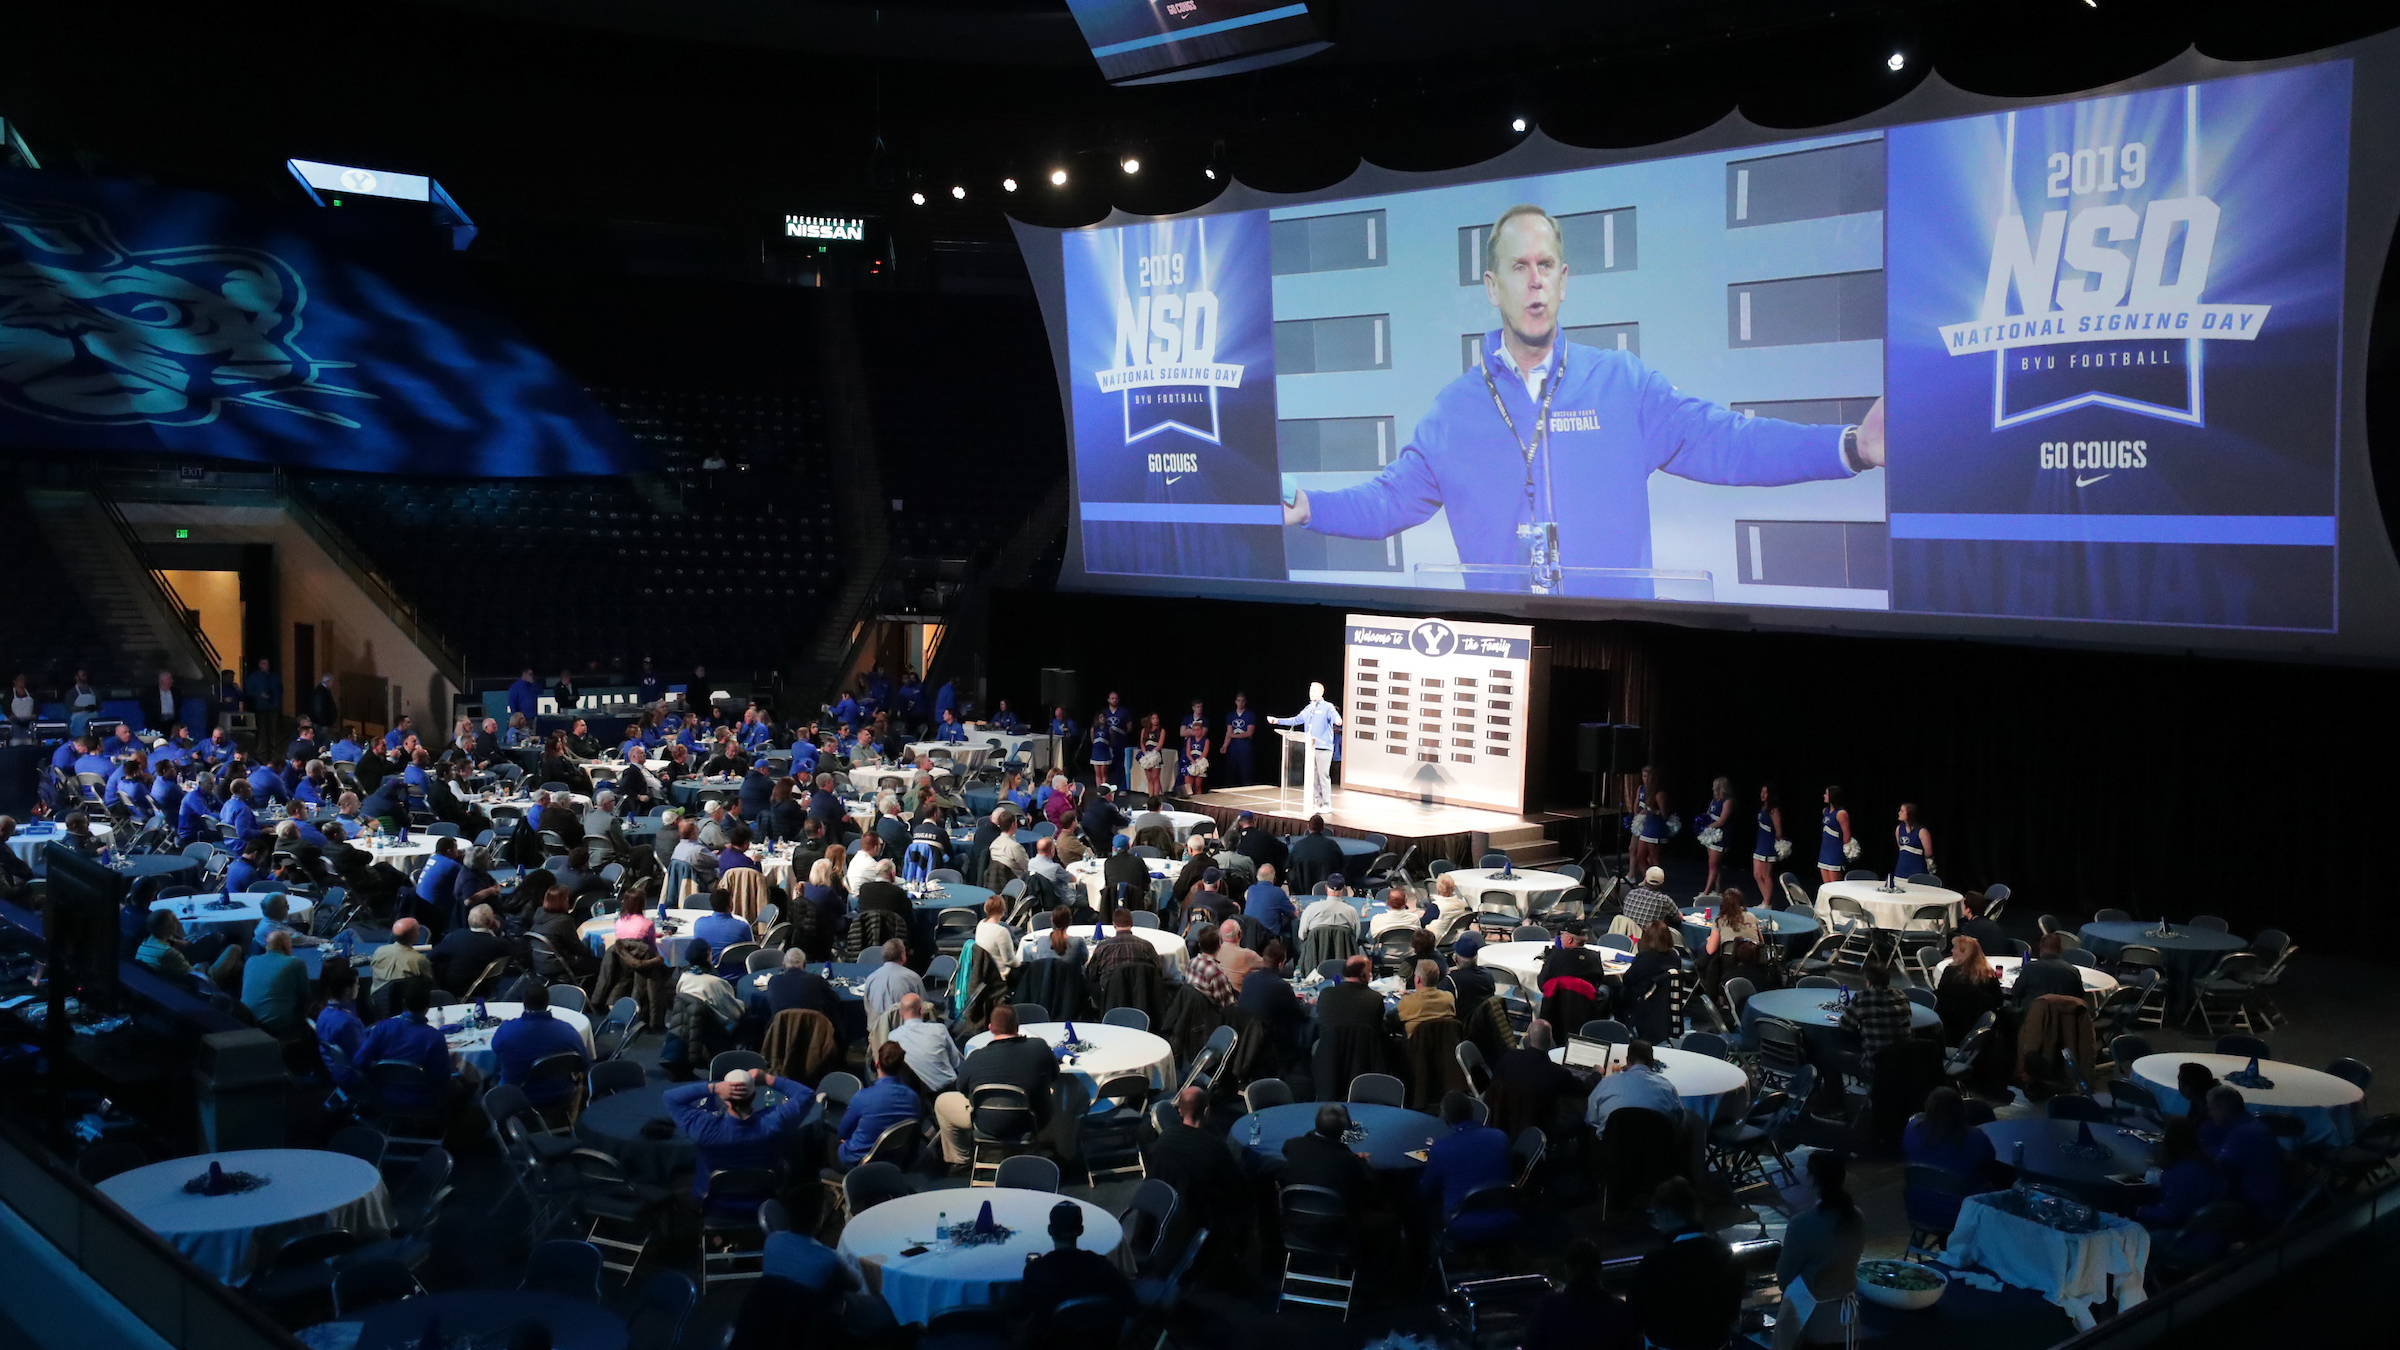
x,y
2060,371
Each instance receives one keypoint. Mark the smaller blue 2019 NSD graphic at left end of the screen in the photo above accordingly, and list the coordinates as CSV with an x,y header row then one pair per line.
x,y
1172,345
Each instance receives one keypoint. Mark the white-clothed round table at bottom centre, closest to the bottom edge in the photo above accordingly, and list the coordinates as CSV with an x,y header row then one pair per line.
x,y
930,1284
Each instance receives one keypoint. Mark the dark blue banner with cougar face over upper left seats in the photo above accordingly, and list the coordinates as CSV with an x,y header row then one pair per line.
x,y
150,321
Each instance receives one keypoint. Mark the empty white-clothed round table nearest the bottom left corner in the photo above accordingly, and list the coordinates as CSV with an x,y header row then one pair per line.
x,y
234,1238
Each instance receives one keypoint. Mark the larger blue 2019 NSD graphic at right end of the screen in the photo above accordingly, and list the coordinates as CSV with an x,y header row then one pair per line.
x,y
2113,354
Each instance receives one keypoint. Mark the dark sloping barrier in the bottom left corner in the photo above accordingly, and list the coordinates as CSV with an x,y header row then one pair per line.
x,y
128,1262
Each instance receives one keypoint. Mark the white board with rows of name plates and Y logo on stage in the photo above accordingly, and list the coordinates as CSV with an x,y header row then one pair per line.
x,y
1436,710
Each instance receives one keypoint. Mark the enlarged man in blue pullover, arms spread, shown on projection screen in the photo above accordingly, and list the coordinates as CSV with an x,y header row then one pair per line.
x,y
1552,438
